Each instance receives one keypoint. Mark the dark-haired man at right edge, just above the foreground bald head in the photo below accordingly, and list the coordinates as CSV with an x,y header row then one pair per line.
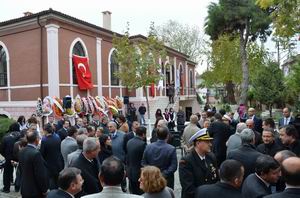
x,y
289,137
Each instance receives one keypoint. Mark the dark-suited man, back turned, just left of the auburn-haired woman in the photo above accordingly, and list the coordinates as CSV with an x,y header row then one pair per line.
x,y
135,148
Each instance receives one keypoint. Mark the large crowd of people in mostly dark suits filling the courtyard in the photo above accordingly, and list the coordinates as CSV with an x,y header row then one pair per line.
x,y
101,157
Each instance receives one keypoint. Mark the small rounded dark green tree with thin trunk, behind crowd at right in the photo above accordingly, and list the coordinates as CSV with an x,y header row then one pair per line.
x,y
268,85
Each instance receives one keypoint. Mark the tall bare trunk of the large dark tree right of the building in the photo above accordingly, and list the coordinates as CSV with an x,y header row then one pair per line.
x,y
245,69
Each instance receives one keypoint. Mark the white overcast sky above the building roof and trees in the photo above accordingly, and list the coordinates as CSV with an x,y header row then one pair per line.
x,y
139,13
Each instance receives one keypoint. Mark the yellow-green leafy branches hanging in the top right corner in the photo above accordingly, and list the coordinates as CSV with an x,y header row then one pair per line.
x,y
285,15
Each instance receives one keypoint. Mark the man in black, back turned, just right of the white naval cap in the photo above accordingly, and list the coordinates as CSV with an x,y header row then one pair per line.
x,y
221,133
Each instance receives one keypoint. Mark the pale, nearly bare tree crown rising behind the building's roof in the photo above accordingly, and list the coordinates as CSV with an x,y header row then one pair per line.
x,y
184,38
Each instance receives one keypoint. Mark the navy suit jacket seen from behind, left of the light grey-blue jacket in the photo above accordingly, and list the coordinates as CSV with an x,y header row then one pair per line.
x,y
50,150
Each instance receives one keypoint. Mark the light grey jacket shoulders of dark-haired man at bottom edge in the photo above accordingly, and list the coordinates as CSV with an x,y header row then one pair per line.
x,y
112,192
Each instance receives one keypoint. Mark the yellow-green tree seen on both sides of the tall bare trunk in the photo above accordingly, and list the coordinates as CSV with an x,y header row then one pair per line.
x,y
225,61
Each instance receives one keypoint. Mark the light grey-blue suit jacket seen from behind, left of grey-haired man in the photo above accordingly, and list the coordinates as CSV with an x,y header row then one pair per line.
x,y
68,145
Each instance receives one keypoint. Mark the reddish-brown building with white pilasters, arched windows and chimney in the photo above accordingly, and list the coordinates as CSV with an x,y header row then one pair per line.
x,y
36,61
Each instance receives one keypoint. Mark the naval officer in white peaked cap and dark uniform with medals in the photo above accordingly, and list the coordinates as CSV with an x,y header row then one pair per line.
x,y
199,167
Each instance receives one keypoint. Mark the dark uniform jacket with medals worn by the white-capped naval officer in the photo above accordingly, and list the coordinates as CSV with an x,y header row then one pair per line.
x,y
193,172
